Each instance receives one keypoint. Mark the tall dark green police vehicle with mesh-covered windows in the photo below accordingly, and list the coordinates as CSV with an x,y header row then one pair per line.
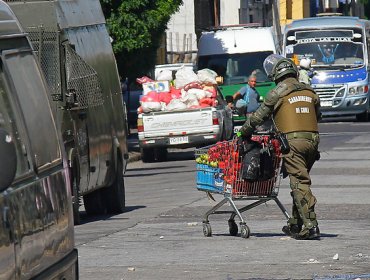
x,y
74,50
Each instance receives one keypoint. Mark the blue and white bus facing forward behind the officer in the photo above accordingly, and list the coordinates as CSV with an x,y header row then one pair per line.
x,y
339,48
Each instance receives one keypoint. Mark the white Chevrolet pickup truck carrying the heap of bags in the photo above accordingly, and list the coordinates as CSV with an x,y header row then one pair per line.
x,y
158,131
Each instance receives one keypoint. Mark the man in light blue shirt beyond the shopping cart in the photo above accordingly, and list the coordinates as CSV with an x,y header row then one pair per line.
x,y
247,98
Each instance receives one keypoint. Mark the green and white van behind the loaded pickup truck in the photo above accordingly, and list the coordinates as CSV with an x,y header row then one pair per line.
x,y
235,52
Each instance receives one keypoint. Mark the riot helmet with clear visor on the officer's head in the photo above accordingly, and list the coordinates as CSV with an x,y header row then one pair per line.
x,y
277,66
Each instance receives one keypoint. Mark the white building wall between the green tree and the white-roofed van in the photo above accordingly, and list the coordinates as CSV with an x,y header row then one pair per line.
x,y
181,32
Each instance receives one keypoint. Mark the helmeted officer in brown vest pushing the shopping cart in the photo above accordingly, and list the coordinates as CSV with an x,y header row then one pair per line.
x,y
295,109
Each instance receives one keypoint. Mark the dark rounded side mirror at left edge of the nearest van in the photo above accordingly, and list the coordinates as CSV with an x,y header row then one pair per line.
x,y
8,163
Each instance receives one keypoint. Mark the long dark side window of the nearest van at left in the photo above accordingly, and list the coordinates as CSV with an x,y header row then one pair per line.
x,y
27,83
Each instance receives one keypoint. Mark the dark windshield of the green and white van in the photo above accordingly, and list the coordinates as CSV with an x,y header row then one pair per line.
x,y
236,68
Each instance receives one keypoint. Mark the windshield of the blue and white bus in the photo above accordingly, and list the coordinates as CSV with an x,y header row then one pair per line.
x,y
327,48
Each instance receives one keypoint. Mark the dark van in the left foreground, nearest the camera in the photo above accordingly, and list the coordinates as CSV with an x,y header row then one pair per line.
x,y
36,220
